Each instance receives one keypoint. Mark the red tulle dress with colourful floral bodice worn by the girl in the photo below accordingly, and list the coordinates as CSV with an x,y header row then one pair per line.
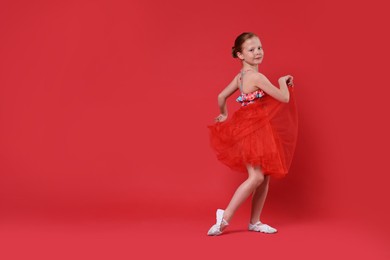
x,y
263,132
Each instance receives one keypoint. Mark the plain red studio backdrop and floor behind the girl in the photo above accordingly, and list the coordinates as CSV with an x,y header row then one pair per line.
x,y
103,142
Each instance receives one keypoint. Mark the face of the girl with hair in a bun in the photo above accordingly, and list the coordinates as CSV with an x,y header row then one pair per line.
x,y
252,51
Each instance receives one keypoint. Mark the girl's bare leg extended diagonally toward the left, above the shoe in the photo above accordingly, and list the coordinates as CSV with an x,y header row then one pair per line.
x,y
255,179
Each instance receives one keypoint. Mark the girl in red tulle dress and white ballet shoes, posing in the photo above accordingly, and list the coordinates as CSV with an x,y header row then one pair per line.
x,y
260,137
